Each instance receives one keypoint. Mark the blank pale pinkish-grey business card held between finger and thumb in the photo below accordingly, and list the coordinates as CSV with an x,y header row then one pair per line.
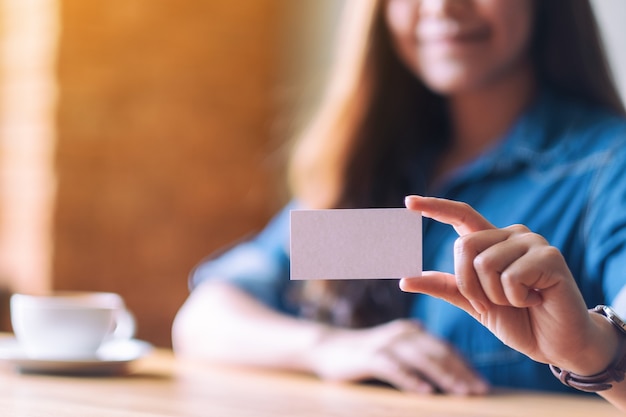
x,y
355,244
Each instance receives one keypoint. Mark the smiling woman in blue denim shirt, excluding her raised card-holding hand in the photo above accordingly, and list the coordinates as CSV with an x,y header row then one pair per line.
x,y
481,101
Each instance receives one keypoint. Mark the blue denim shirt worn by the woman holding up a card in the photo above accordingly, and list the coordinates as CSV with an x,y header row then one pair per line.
x,y
560,170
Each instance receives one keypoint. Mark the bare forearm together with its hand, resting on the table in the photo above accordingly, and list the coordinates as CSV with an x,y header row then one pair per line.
x,y
221,323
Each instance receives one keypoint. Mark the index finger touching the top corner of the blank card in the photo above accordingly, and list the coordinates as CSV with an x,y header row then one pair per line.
x,y
459,215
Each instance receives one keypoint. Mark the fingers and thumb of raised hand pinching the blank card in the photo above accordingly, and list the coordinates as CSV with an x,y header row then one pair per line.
x,y
498,266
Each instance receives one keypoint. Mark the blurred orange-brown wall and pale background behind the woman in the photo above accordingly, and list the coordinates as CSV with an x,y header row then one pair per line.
x,y
139,136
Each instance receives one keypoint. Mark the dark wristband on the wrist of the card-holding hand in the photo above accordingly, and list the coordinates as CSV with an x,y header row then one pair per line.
x,y
605,379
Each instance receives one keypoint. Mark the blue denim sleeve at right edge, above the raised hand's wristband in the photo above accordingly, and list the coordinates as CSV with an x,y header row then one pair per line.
x,y
606,230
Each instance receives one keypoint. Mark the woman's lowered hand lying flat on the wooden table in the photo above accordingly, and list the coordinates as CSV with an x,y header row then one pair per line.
x,y
400,353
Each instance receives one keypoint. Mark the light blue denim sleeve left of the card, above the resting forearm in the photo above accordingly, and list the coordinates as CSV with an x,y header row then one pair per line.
x,y
258,266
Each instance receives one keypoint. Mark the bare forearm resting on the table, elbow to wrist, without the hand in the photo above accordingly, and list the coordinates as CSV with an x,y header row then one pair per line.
x,y
222,323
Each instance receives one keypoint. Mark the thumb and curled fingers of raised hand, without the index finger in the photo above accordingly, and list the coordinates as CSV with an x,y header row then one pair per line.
x,y
506,267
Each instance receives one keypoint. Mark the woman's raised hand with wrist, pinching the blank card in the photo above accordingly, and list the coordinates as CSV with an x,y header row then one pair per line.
x,y
514,283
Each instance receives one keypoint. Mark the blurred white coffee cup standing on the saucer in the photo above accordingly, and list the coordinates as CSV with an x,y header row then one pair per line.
x,y
69,325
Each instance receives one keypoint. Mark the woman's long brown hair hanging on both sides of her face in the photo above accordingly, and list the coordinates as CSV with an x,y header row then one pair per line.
x,y
399,118
